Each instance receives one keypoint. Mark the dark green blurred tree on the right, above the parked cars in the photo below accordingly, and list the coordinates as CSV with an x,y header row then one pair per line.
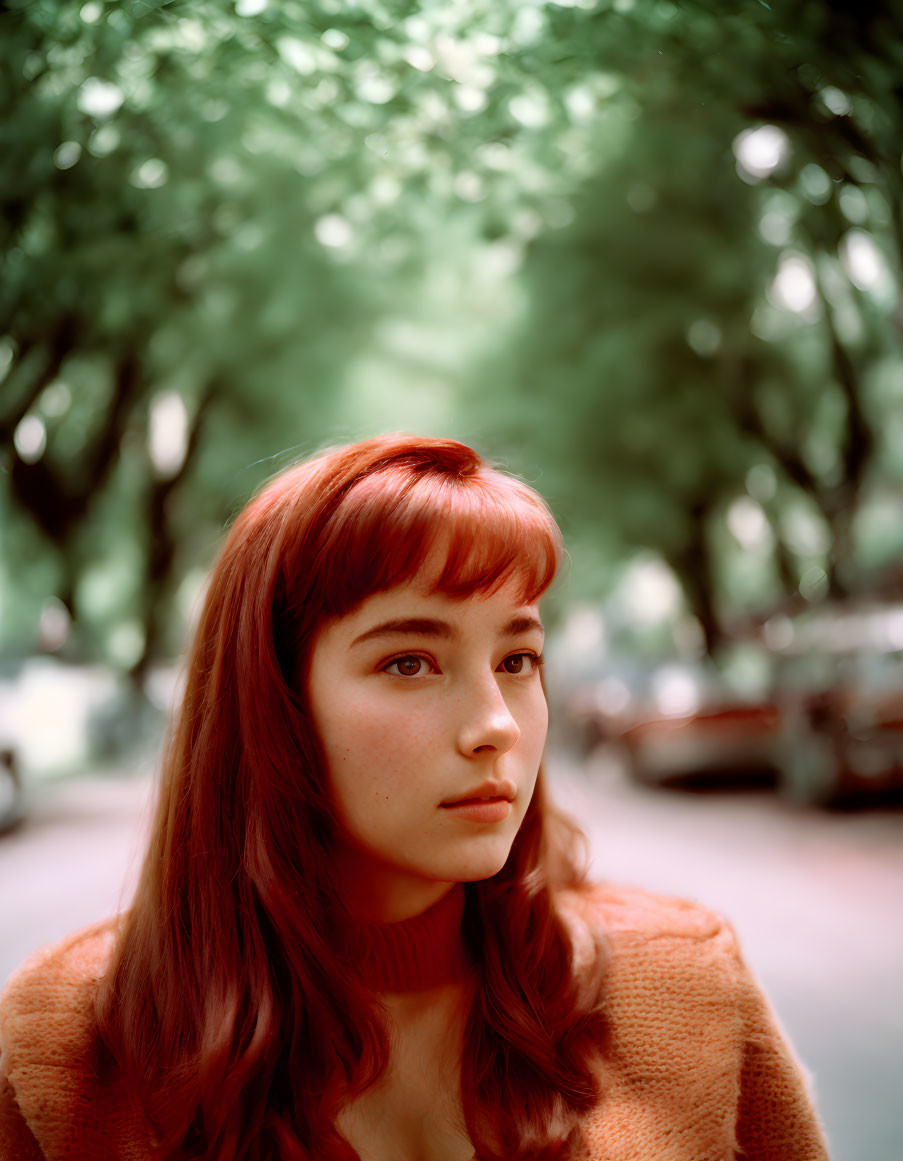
x,y
724,309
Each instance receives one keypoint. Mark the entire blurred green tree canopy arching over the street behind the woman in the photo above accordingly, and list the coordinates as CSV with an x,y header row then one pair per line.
x,y
547,225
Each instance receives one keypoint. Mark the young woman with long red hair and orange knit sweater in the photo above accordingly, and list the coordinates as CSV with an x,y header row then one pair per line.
x,y
362,931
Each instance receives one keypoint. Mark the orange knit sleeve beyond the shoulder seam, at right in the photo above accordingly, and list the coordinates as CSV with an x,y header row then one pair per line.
x,y
776,1115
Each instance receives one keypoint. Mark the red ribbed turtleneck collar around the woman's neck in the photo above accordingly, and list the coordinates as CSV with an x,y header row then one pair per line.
x,y
425,951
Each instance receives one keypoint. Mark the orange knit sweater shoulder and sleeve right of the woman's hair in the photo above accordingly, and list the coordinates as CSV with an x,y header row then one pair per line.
x,y
688,1021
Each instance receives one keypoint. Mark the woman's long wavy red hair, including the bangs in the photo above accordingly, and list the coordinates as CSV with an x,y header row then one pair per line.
x,y
228,1007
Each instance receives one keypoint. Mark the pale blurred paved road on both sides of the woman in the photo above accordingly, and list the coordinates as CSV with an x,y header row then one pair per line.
x,y
817,899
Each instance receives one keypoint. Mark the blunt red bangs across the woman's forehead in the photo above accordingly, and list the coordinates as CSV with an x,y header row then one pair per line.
x,y
473,533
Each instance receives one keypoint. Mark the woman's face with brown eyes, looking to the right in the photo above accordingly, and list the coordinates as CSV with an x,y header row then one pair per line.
x,y
422,702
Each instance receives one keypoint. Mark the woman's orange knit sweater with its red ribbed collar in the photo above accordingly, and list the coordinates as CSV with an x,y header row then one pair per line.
x,y
696,1068
